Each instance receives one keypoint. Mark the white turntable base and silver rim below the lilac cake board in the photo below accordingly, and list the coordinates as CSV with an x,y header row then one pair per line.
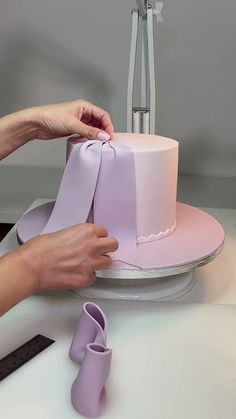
x,y
166,284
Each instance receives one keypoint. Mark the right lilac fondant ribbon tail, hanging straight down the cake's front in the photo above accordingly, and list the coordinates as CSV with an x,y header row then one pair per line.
x,y
115,201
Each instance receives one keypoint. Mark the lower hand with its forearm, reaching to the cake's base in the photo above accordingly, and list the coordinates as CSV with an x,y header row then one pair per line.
x,y
65,259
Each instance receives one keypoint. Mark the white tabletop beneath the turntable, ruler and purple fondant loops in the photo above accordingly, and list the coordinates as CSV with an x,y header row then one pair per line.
x,y
170,360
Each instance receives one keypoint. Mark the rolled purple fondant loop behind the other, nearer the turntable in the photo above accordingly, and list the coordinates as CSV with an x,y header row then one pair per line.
x,y
92,328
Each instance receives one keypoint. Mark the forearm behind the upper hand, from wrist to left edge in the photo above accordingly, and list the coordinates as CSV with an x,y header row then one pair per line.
x,y
16,130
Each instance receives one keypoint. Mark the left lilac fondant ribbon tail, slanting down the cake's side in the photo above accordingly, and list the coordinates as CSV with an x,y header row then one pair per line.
x,y
76,193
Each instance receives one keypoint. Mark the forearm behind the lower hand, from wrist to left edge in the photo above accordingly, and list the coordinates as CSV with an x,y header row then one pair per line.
x,y
16,281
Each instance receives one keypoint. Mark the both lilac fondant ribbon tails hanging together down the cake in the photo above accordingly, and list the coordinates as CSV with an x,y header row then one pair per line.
x,y
100,176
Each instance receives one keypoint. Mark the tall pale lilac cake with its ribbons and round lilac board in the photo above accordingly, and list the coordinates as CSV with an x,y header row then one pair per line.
x,y
129,186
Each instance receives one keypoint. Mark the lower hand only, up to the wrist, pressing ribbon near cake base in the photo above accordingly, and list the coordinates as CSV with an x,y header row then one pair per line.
x,y
69,257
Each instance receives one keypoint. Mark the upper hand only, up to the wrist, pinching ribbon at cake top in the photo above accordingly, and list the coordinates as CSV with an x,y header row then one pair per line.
x,y
77,117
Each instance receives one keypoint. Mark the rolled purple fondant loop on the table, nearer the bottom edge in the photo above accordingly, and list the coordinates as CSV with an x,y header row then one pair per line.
x,y
88,395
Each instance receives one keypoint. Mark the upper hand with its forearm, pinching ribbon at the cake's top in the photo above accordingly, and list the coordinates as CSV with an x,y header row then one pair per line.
x,y
54,121
